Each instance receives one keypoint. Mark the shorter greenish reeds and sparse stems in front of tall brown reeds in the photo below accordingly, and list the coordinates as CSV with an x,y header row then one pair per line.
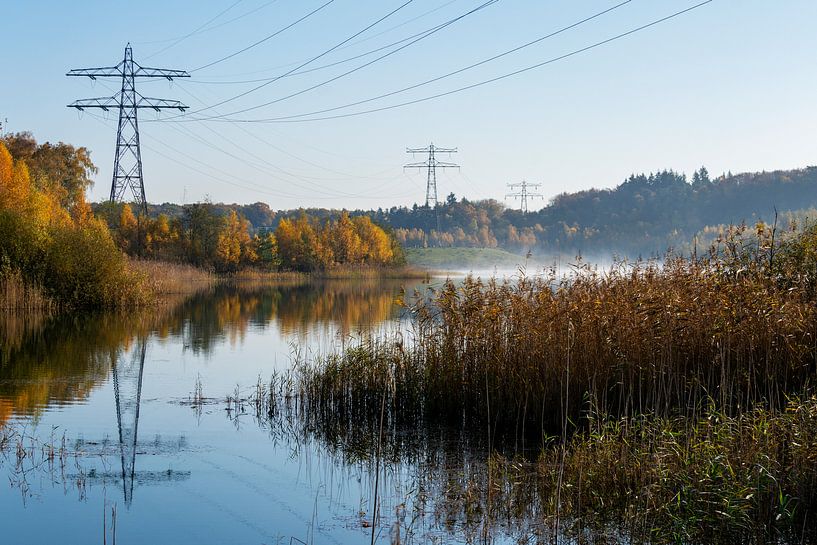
x,y
749,478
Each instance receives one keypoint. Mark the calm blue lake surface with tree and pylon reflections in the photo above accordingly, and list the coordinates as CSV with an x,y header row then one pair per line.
x,y
114,393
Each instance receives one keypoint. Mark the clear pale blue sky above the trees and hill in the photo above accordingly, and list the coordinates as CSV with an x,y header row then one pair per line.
x,y
729,85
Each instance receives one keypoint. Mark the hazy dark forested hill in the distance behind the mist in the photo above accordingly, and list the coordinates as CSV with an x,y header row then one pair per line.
x,y
644,215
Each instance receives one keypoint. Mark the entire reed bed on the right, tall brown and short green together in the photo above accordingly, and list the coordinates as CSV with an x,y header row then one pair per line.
x,y
649,403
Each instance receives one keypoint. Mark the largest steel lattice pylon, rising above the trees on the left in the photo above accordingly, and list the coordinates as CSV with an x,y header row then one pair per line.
x,y
127,166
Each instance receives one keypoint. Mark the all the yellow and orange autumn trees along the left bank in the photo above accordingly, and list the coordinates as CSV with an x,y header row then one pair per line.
x,y
58,250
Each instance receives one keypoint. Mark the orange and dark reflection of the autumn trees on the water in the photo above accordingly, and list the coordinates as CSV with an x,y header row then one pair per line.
x,y
54,361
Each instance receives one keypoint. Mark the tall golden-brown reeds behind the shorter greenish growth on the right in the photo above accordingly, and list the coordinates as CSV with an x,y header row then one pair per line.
x,y
530,356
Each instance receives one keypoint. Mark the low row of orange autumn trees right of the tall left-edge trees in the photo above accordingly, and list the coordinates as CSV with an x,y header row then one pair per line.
x,y
220,239
